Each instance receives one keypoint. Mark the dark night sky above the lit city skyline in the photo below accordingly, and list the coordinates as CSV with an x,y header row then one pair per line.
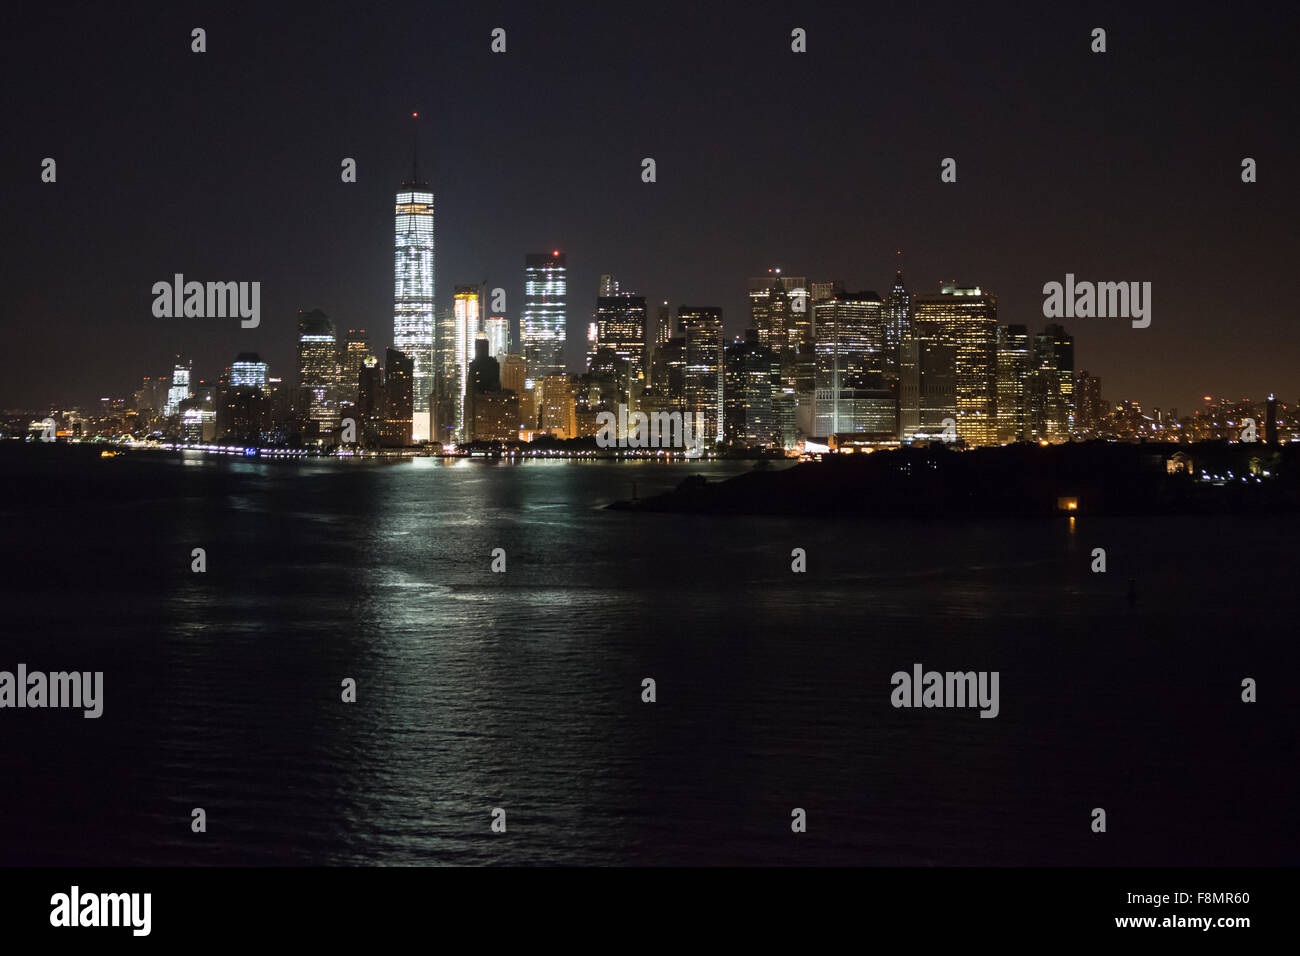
x,y
226,166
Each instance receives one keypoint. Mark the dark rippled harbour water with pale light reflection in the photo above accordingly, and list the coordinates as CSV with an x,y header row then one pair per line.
x,y
523,690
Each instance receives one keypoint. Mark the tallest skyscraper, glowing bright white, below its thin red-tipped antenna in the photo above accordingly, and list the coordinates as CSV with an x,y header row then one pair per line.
x,y
414,297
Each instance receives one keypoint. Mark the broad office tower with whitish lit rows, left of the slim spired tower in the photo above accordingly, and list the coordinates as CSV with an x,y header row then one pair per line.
x,y
851,390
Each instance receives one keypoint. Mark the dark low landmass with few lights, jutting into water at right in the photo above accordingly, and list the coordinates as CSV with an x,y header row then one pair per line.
x,y
1102,478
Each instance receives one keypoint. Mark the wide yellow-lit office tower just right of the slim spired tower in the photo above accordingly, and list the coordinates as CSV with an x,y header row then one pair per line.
x,y
967,319
